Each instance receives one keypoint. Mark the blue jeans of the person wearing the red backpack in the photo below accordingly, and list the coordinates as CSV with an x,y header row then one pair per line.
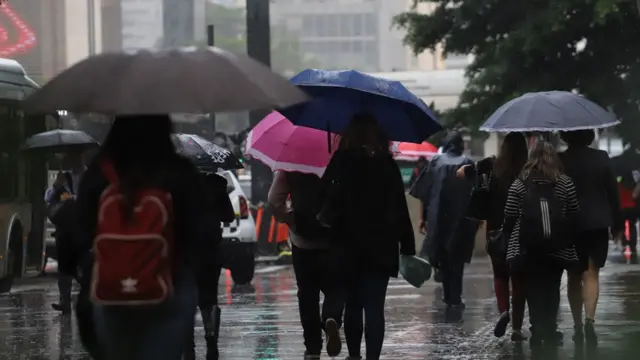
x,y
158,333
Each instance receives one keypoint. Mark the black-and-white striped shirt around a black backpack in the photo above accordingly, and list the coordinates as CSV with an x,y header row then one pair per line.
x,y
566,193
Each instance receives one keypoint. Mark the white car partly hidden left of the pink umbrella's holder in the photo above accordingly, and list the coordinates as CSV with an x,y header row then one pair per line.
x,y
239,237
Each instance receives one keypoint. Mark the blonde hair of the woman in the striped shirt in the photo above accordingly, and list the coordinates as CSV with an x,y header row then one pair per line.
x,y
543,162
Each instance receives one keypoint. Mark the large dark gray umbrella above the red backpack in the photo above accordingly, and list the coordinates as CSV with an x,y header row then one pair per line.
x,y
190,80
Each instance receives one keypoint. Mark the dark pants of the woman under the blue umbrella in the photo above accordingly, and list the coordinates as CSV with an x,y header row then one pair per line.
x,y
366,291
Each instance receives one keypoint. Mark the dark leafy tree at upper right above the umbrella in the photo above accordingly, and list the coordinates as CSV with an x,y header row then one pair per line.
x,y
589,46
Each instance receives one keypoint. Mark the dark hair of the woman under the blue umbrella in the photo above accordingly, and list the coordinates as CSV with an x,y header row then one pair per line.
x,y
363,131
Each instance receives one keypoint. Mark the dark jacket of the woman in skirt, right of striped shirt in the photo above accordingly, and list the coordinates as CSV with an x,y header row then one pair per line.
x,y
592,173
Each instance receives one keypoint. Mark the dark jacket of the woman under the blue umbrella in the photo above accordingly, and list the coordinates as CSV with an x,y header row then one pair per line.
x,y
372,219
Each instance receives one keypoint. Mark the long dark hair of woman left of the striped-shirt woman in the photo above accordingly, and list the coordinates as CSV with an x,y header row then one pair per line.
x,y
512,157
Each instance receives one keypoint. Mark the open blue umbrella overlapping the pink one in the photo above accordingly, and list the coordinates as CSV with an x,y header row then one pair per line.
x,y
338,95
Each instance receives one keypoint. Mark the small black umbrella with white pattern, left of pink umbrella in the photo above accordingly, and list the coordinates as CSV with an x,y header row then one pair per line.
x,y
205,154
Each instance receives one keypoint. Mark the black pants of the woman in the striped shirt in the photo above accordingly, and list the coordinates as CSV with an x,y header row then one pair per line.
x,y
542,288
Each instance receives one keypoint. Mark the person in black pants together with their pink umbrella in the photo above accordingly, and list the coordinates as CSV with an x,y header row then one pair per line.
x,y
299,156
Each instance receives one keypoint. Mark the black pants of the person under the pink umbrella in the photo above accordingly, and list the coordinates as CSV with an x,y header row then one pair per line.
x,y
318,270
